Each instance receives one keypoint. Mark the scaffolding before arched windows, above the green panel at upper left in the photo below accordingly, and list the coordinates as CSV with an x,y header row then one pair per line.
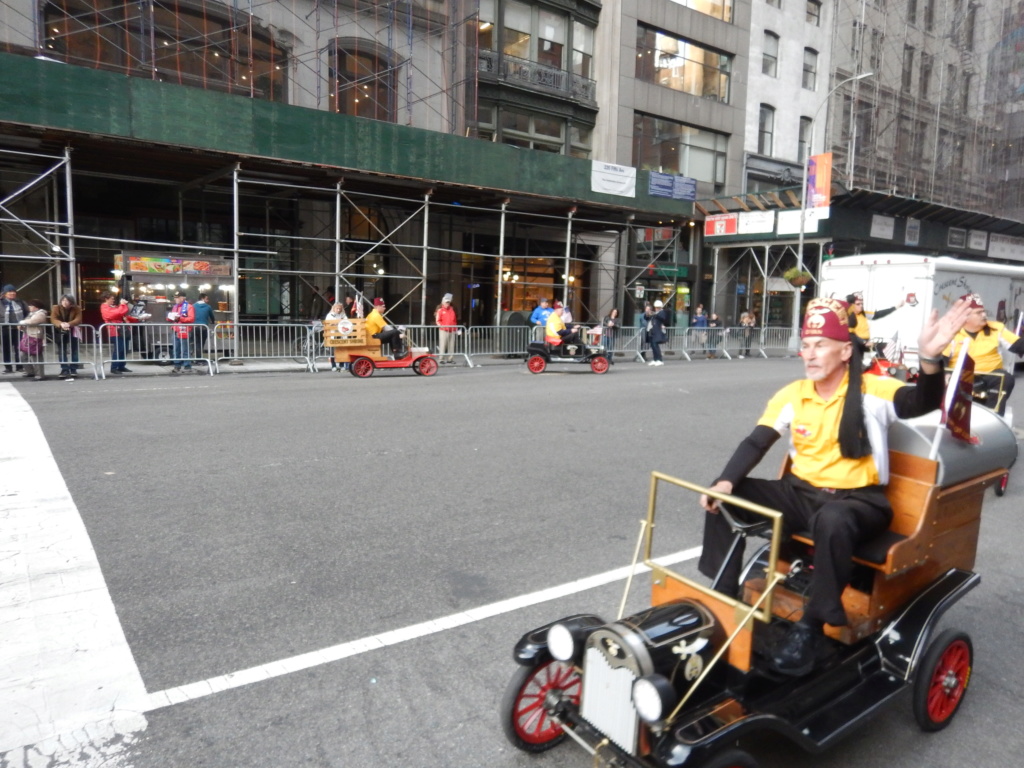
x,y
410,62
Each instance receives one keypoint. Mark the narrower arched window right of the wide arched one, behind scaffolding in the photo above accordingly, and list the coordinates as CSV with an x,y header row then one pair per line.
x,y
363,81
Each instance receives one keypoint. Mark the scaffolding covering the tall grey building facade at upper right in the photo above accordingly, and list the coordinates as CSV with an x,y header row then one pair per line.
x,y
921,126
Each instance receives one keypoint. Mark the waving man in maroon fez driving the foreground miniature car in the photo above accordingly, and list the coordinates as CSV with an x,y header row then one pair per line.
x,y
837,421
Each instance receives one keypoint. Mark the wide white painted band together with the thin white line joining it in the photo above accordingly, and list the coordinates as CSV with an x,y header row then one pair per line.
x,y
68,678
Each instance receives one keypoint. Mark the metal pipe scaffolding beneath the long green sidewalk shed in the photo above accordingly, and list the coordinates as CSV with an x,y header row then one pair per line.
x,y
291,245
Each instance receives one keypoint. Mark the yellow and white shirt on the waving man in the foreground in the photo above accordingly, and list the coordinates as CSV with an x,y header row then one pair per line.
x,y
814,428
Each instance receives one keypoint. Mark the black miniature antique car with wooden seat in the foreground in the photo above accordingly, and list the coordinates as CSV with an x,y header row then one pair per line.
x,y
677,685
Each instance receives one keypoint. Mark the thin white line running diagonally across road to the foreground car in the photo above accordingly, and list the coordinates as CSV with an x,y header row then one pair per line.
x,y
265,672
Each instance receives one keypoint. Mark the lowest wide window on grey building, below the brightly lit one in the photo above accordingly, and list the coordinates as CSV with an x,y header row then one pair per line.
x,y
668,147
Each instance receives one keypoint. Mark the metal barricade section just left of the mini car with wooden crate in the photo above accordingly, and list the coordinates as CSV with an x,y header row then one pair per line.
x,y
301,343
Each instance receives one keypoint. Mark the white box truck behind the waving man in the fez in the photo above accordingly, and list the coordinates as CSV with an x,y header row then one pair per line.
x,y
926,283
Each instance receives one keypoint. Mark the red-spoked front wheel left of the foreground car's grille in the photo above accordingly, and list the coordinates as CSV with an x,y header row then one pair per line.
x,y
527,724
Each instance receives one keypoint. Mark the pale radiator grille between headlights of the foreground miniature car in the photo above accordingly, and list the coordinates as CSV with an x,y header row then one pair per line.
x,y
608,700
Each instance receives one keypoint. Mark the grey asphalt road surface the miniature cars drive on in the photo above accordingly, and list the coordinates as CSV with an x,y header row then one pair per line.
x,y
244,520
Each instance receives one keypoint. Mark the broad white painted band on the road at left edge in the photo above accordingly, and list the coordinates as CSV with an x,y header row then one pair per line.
x,y
64,659
